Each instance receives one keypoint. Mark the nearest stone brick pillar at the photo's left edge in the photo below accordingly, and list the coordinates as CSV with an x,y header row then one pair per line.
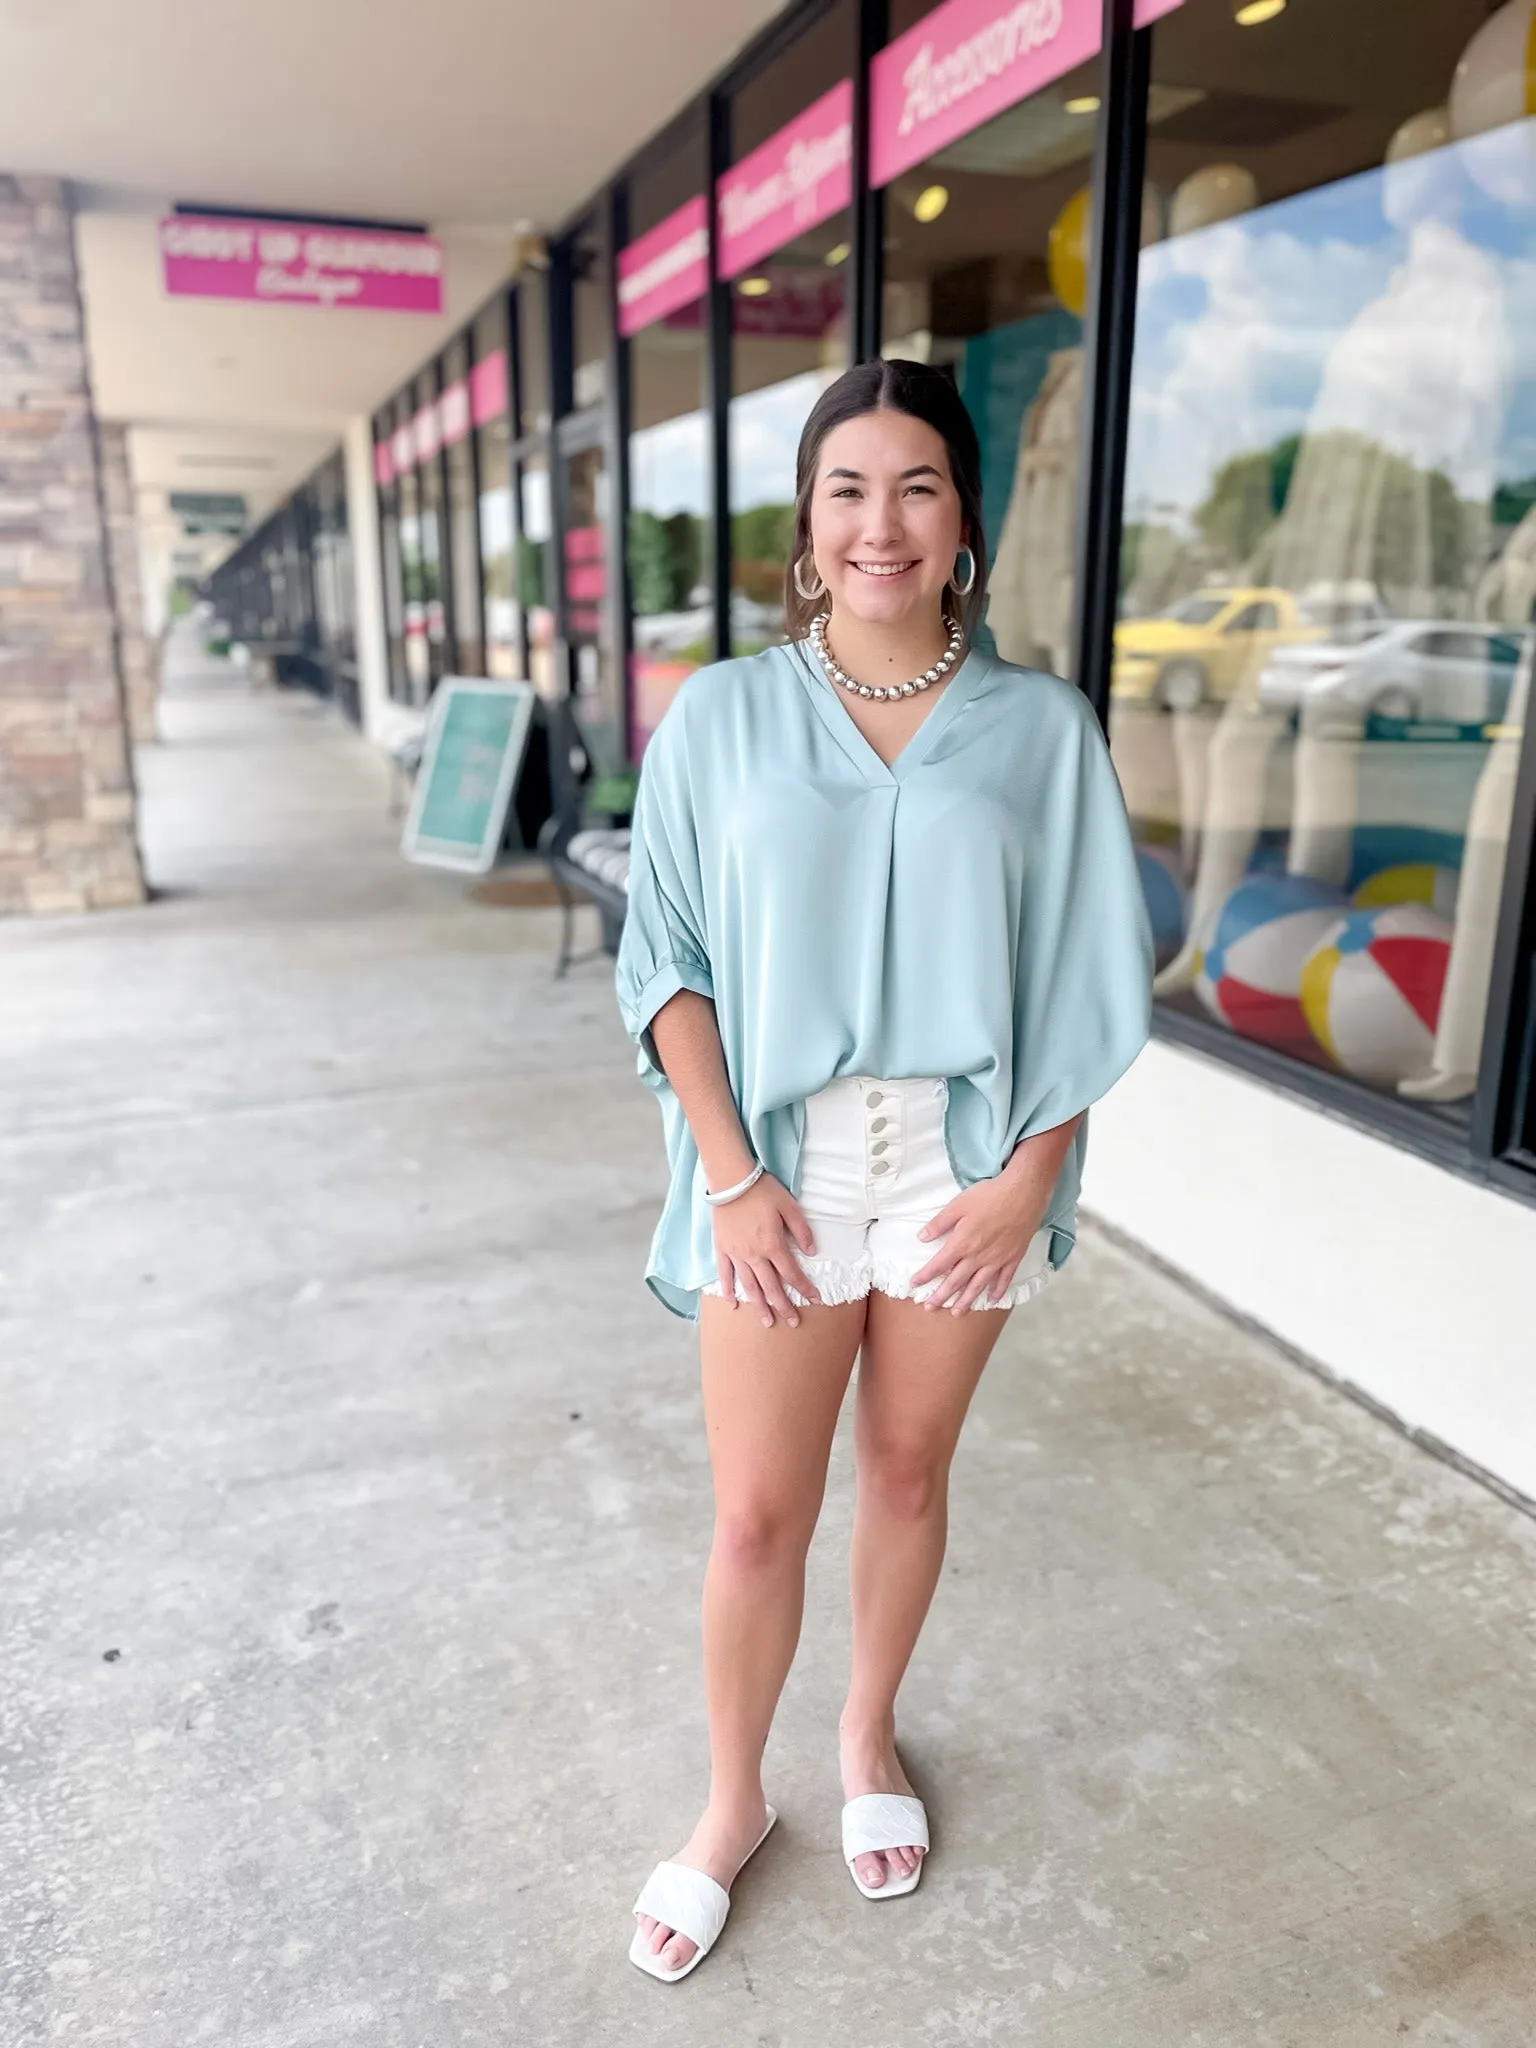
x,y
67,785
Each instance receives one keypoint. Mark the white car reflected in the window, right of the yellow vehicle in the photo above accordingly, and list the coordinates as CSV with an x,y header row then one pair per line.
x,y
1426,671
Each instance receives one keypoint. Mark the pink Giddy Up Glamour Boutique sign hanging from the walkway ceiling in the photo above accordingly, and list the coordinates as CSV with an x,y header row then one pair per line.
x,y
208,257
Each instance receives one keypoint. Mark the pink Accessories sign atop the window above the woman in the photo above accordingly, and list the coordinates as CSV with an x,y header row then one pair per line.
x,y
968,62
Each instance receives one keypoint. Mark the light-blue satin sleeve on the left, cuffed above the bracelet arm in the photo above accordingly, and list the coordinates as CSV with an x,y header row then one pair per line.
x,y
665,943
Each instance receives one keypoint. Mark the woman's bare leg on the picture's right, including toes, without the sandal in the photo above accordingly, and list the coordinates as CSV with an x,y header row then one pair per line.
x,y
914,1390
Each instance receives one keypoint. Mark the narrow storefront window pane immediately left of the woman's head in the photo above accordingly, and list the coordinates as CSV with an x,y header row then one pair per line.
x,y
785,237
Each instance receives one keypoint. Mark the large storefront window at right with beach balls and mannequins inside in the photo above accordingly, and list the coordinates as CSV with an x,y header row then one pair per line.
x,y
1330,527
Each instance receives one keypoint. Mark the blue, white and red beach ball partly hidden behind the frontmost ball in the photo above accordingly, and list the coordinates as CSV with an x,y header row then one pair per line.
x,y
1248,968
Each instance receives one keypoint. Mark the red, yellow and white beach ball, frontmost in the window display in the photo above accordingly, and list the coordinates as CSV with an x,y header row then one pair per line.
x,y
1371,990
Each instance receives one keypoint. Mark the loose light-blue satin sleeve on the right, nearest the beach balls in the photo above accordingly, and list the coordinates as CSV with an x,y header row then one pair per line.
x,y
1086,949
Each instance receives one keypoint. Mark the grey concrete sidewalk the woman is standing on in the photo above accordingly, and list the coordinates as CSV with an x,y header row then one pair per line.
x,y
355,1506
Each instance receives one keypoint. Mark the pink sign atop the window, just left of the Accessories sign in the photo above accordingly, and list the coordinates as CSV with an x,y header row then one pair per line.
x,y
796,181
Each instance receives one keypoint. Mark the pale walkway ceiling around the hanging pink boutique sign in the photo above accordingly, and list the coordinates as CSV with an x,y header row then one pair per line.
x,y
472,118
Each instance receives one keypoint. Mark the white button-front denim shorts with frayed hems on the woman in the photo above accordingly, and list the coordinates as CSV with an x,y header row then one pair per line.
x,y
873,1172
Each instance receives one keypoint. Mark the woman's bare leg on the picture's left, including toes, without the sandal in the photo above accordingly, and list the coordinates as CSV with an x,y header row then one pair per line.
x,y
771,1410
